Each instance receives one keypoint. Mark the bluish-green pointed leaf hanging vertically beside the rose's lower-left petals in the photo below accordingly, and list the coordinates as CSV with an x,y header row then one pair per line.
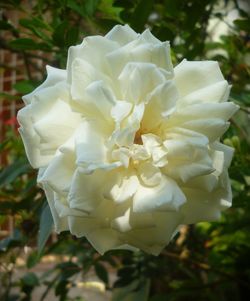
x,y
45,227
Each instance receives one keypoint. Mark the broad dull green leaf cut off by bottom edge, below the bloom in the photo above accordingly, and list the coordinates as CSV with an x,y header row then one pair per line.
x,y
135,291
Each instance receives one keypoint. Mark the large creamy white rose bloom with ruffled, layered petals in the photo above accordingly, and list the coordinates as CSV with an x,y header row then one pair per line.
x,y
127,146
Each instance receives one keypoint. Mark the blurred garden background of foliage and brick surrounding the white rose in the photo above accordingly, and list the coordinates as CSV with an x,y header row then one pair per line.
x,y
207,261
